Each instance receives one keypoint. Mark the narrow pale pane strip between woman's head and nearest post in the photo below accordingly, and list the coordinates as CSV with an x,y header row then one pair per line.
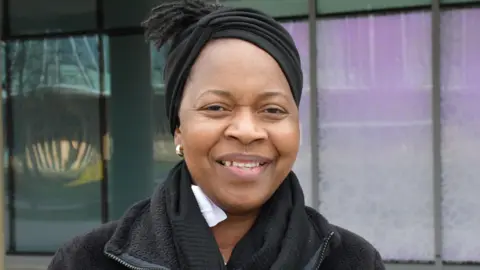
x,y
302,167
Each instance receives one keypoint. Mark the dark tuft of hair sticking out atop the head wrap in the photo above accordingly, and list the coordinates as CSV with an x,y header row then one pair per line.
x,y
168,19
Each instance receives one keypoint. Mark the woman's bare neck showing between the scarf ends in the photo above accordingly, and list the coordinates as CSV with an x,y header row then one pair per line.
x,y
229,232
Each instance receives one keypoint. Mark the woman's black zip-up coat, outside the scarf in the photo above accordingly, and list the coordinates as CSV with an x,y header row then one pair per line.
x,y
130,243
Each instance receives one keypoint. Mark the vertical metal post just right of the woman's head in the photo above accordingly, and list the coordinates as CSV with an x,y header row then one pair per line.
x,y
314,128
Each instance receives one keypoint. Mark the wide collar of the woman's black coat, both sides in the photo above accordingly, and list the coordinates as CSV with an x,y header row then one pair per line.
x,y
142,239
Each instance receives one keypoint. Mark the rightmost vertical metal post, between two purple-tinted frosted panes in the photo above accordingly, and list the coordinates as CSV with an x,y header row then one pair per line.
x,y
437,130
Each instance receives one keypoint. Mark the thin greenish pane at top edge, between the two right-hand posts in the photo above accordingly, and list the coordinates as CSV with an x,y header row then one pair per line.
x,y
341,6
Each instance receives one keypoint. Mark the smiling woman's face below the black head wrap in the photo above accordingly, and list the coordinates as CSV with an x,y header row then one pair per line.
x,y
239,125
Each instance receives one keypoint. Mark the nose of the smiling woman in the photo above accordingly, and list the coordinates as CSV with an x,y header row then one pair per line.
x,y
245,128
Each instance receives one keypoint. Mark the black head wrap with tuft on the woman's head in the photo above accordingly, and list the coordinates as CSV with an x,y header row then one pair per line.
x,y
192,24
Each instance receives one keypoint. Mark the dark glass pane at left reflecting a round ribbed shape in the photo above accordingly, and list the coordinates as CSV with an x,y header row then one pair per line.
x,y
57,160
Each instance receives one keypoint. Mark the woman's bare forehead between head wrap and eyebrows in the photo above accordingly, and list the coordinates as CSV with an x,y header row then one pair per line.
x,y
237,65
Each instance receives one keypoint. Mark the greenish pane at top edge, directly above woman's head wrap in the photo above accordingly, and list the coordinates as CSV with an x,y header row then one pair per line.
x,y
275,8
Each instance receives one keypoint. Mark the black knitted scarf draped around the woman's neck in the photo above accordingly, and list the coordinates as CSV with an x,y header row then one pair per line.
x,y
279,239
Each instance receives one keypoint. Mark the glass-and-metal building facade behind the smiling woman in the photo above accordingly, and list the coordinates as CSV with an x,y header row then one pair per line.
x,y
390,117
